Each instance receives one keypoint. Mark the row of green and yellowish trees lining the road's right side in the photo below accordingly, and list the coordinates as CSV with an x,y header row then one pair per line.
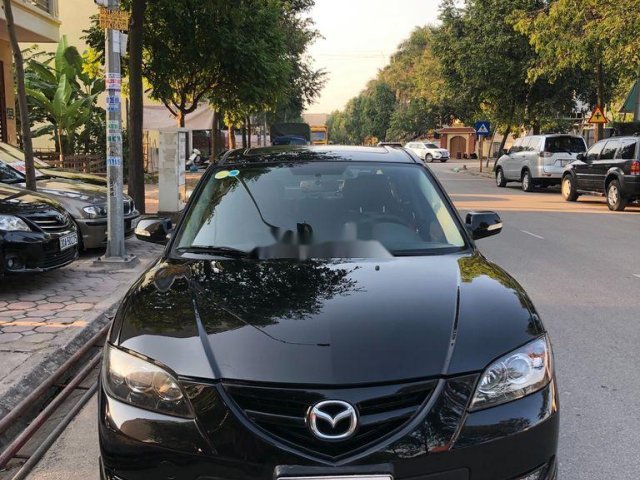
x,y
518,63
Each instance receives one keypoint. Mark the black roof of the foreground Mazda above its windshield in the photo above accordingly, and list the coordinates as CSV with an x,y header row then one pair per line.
x,y
318,153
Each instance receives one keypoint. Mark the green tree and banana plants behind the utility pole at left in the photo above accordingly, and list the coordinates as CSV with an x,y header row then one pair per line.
x,y
242,58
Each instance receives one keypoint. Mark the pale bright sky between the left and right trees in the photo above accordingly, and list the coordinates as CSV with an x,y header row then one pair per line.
x,y
359,38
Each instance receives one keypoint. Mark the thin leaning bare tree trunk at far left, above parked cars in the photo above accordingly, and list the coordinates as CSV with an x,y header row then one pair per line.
x,y
22,98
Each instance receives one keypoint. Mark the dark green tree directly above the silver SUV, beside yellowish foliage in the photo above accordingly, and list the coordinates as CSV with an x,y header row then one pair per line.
x,y
487,62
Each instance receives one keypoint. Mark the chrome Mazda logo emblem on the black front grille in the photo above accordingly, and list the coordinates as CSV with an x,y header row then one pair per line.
x,y
332,420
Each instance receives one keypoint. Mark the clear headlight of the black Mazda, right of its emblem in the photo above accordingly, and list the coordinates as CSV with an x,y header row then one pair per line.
x,y
517,374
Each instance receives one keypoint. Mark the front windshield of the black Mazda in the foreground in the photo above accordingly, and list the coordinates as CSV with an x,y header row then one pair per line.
x,y
319,203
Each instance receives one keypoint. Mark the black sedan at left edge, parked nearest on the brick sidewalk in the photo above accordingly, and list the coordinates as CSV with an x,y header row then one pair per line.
x,y
36,234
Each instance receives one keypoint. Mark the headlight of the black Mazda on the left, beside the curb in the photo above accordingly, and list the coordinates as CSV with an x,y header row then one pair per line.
x,y
143,384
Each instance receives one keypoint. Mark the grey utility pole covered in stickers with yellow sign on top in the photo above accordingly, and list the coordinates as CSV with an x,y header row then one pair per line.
x,y
111,18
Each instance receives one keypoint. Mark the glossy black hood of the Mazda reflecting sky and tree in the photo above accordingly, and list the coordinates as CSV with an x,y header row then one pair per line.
x,y
326,322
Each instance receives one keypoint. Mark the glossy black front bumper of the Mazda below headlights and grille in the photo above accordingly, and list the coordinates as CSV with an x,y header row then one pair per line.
x,y
443,442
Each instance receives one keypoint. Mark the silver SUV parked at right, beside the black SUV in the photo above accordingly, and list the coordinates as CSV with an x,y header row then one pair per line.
x,y
538,160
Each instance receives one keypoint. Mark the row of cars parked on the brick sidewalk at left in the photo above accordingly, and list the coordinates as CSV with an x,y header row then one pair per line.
x,y
46,230
